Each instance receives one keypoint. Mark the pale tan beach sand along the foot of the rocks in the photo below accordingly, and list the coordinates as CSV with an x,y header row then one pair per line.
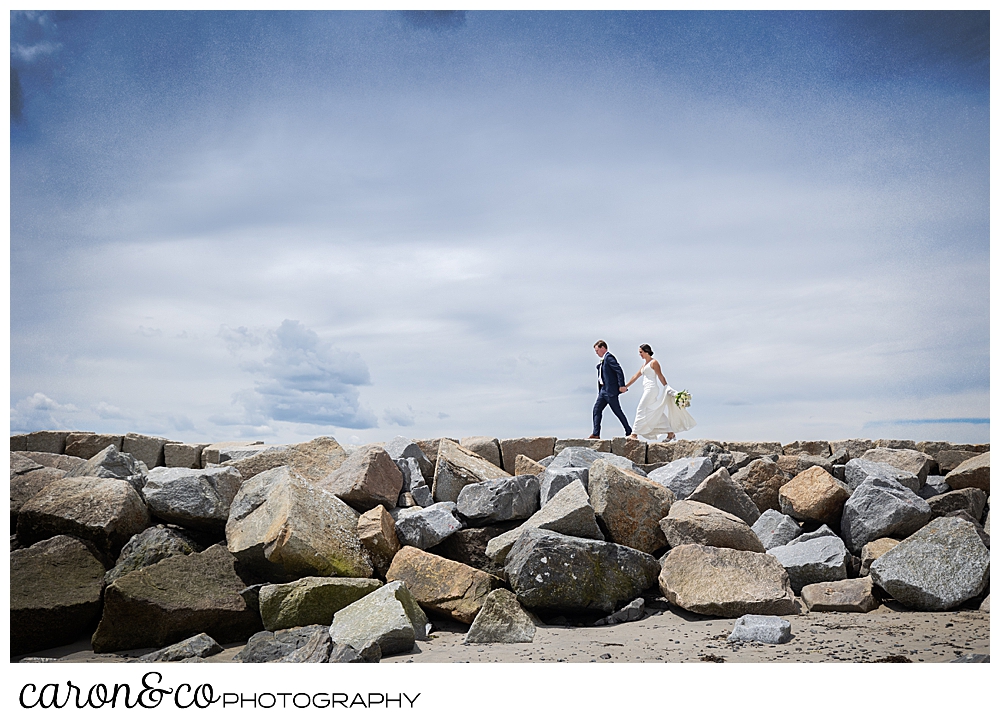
x,y
671,635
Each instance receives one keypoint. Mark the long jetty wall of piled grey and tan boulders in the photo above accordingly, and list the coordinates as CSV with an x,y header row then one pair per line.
x,y
315,553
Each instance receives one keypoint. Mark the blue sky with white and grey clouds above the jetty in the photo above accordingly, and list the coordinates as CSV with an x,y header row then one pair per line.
x,y
280,225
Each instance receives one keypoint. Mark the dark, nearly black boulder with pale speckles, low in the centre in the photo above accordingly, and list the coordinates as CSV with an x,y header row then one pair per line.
x,y
553,571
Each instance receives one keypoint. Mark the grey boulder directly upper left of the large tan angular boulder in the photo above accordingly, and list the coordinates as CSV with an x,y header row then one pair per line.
x,y
195,498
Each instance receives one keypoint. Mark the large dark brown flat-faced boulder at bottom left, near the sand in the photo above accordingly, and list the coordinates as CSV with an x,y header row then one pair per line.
x,y
174,599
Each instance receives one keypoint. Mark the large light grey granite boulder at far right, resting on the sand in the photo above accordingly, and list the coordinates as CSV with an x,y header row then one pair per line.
x,y
937,568
